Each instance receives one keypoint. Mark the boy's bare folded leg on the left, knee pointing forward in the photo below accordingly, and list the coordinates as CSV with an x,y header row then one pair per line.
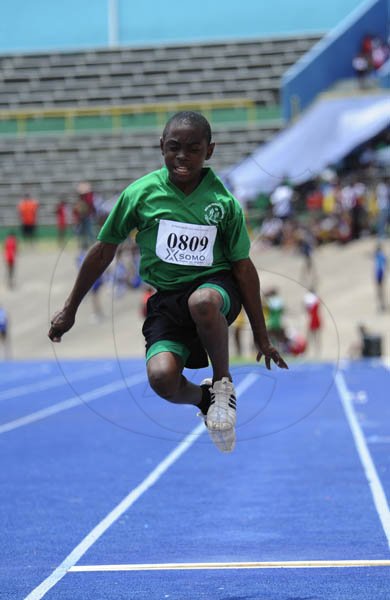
x,y
166,379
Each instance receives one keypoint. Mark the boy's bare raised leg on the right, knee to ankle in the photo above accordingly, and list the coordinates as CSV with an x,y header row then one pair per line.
x,y
205,307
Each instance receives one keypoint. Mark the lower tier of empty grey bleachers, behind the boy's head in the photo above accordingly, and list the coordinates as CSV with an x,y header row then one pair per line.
x,y
50,166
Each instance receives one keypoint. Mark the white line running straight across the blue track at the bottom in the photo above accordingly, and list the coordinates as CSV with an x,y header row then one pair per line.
x,y
290,564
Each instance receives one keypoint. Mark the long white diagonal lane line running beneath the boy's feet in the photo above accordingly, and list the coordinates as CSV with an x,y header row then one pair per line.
x,y
121,508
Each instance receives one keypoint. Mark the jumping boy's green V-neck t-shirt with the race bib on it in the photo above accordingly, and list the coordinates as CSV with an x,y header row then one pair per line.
x,y
180,237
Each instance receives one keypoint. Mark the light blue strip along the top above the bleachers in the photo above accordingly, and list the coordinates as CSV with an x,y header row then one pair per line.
x,y
34,25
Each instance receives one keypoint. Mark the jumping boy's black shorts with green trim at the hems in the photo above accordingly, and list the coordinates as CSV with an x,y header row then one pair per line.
x,y
169,326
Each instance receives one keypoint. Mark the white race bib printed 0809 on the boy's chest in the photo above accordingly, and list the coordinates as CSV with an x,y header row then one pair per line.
x,y
185,243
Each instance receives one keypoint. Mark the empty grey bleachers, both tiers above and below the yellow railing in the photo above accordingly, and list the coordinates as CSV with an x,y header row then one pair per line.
x,y
51,165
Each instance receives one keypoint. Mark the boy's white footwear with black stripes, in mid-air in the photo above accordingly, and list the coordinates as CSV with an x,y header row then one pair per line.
x,y
221,416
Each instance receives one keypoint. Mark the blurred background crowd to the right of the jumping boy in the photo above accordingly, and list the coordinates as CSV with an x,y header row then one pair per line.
x,y
344,203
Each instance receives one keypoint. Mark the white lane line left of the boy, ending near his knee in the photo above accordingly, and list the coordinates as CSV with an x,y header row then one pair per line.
x,y
71,403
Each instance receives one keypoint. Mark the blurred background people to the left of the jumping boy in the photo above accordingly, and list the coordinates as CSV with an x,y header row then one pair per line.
x,y
78,216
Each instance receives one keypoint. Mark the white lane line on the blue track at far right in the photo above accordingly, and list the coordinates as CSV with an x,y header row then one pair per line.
x,y
370,471
